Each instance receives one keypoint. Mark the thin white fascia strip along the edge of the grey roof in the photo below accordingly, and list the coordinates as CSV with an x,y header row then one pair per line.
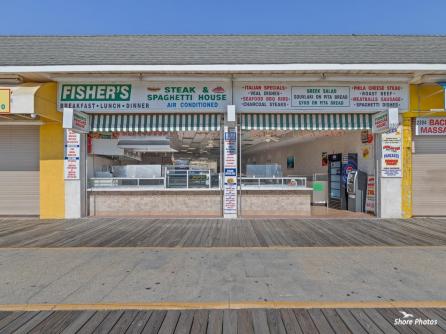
x,y
221,68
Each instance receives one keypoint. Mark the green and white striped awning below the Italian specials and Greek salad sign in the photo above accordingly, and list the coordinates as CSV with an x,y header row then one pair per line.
x,y
306,121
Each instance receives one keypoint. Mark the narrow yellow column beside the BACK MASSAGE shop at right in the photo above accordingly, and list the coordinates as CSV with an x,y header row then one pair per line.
x,y
406,182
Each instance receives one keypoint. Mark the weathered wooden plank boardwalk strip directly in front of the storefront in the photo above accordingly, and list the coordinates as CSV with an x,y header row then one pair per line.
x,y
144,232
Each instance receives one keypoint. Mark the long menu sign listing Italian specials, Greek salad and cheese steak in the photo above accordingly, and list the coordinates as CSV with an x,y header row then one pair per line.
x,y
288,97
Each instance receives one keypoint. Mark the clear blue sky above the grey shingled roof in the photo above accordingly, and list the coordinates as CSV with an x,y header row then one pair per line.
x,y
90,17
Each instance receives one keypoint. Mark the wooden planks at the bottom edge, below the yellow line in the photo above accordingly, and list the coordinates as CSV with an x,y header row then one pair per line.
x,y
262,321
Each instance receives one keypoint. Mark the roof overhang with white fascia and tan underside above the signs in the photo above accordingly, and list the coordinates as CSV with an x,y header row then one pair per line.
x,y
403,73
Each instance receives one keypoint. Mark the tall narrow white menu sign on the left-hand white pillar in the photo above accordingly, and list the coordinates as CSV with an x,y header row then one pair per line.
x,y
72,155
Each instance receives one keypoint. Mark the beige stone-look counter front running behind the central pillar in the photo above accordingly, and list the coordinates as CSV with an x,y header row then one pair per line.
x,y
197,202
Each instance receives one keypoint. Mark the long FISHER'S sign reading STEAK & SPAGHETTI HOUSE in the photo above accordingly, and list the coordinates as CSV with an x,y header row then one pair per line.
x,y
144,96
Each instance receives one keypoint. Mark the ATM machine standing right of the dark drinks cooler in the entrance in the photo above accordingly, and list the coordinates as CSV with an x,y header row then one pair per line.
x,y
356,190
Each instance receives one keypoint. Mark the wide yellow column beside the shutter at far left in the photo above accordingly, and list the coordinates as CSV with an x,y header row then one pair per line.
x,y
52,188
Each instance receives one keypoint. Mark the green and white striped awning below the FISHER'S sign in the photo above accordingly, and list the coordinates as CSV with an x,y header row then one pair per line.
x,y
155,122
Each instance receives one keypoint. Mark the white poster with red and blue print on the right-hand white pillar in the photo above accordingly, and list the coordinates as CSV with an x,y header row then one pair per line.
x,y
391,154
